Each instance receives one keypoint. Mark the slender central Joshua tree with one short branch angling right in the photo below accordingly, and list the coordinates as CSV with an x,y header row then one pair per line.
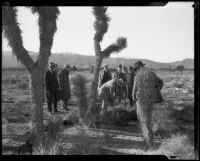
x,y
101,27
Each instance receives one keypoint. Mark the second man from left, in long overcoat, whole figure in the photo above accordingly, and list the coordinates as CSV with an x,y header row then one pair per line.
x,y
64,86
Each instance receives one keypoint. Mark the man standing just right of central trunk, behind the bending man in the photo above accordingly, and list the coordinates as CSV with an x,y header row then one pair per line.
x,y
104,75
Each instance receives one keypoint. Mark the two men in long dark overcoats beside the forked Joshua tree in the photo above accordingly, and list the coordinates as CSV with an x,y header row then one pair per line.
x,y
57,87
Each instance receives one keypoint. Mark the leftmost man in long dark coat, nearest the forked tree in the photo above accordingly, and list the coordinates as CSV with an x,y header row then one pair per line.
x,y
51,88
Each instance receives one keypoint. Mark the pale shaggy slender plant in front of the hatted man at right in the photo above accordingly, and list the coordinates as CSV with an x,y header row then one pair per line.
x,y
144,81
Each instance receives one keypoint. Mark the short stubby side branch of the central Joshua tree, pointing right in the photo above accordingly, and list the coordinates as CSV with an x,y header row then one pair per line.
x,y
120,44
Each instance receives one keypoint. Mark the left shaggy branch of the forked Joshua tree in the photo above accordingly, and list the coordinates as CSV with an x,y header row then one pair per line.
x,y
12,32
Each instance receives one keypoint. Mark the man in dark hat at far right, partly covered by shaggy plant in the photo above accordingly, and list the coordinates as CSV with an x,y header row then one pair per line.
x,y
146,93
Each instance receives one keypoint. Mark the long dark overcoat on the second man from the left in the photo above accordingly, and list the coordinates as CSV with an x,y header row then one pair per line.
x,y
64,84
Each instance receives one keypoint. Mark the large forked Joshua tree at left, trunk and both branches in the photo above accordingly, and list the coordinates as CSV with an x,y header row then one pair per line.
x,y
47,17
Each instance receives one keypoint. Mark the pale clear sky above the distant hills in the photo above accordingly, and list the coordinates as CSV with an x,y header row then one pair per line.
x,y
162,34
